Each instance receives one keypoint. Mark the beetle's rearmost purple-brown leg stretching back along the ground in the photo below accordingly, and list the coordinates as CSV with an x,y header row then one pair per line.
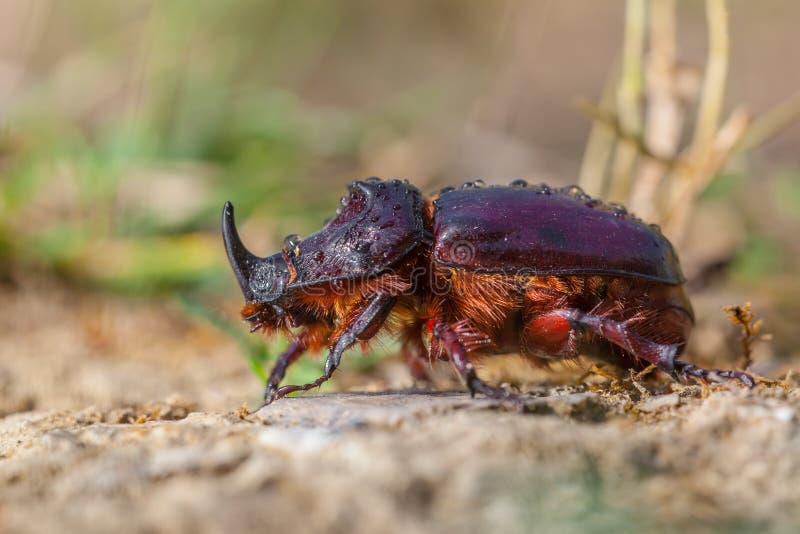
x,y
662,355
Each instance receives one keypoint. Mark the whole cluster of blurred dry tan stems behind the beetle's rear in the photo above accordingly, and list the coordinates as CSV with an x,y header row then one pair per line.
x,y
665,171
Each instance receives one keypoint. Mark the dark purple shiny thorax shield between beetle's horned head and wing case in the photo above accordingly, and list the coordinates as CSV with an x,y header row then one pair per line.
x,y
377,225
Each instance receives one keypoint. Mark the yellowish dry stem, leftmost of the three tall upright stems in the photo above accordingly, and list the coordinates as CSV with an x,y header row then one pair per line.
x,y
629,98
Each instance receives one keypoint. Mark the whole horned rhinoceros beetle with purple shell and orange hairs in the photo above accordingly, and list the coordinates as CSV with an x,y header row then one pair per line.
x,y
468,272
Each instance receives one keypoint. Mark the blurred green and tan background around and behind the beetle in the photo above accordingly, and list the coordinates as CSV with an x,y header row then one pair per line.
x,y
124,126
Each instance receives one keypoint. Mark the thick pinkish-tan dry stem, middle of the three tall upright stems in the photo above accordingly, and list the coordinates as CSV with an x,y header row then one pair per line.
x,y
665,114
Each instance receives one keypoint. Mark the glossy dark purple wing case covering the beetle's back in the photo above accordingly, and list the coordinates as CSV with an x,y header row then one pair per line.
x,y
543,231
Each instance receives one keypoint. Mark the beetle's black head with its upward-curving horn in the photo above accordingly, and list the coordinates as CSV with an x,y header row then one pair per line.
x,y
263,280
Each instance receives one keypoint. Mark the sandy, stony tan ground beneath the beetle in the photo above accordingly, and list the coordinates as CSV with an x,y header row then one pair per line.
x,y
125,417
